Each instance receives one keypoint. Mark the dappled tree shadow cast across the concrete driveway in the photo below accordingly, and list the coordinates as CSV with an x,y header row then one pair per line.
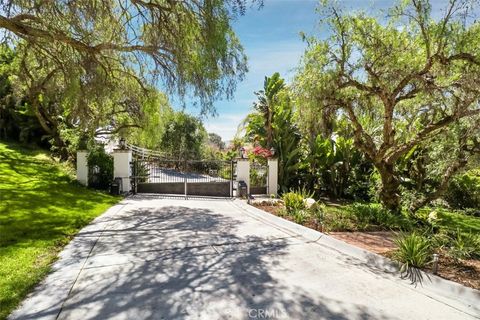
x,y
176,262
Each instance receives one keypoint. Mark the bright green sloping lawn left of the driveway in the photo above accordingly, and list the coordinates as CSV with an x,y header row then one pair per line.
x,y
41,209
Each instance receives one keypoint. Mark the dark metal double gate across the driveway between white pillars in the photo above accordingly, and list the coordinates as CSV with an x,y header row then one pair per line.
x,y
153,174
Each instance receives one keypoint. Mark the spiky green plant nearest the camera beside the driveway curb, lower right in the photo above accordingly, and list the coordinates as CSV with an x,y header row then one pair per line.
x,y
413,251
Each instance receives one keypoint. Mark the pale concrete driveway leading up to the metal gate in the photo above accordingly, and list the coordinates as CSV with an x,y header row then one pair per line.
x,y
153,258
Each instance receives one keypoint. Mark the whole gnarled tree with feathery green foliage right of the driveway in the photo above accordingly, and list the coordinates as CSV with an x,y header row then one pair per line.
x,y
402,82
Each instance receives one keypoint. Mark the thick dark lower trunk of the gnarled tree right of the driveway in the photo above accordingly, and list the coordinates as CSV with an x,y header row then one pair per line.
x,y
389,193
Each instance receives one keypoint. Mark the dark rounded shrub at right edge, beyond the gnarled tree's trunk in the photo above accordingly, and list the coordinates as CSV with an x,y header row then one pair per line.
x,y
464,190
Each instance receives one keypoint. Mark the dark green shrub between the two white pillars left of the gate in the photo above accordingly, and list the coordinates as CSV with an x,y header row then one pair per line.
x,y
100,168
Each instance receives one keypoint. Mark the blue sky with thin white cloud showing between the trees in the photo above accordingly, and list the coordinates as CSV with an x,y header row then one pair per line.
x,y
272,43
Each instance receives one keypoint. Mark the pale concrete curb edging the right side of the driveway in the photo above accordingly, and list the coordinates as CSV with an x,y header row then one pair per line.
x,y
456,295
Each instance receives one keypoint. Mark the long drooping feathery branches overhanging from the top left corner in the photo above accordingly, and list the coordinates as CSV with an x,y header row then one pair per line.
x,y
185,44
